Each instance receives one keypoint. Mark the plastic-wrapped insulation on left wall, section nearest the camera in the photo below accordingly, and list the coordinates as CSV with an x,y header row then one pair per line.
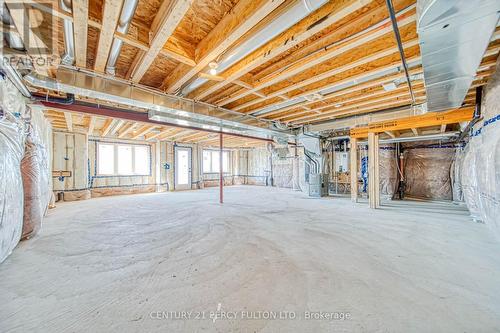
x,y
11,153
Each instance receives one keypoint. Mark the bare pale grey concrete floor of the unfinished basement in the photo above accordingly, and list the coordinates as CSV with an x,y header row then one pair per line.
x,y
130,263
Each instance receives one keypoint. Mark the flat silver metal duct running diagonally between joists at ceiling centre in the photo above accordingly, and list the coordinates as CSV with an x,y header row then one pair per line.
x,y
295,13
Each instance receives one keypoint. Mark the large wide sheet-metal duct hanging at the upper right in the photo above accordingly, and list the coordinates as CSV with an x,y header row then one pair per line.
x,y
454,35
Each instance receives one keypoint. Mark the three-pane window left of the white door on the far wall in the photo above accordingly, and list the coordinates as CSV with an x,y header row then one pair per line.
x,y
120,159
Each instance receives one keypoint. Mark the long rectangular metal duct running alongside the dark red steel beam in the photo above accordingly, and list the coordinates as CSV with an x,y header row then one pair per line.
x,y
160,106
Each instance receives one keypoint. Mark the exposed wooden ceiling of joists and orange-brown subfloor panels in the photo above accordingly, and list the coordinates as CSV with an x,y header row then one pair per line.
x,y
310,72
